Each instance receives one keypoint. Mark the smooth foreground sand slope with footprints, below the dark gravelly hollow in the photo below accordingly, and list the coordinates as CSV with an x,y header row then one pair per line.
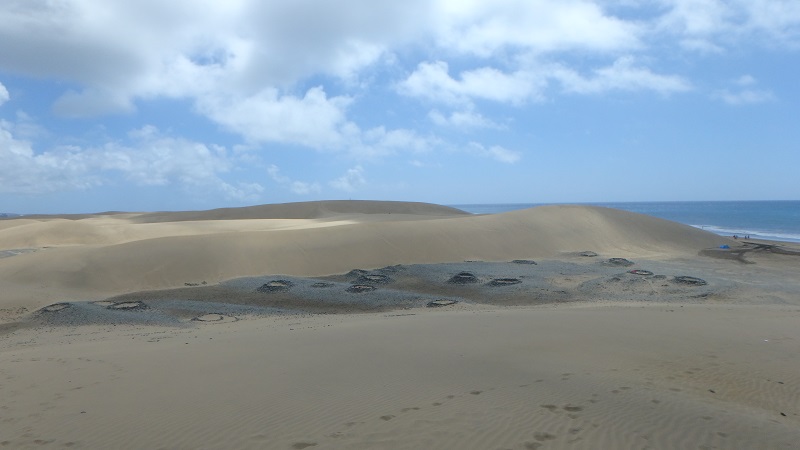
x,y
602,377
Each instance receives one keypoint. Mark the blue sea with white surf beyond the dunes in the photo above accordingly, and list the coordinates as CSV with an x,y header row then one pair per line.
x,y
774,220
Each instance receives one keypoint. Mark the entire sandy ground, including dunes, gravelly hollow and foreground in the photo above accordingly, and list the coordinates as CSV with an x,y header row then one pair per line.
x,y
239,328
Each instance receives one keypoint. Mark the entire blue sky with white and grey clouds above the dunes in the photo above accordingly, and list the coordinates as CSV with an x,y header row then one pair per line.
x,y
197,104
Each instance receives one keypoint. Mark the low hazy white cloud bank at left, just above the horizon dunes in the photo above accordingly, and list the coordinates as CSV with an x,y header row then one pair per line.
x,y
150,159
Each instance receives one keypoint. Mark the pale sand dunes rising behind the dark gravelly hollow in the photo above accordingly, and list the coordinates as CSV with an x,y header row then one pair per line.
x,y
96,257
